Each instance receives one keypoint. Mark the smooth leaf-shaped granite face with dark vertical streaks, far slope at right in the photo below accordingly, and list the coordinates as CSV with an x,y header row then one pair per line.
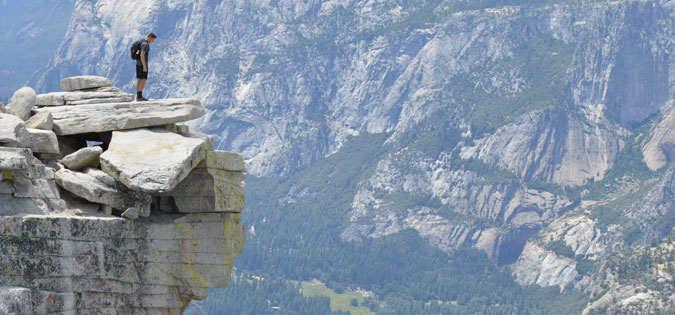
x,y
550,146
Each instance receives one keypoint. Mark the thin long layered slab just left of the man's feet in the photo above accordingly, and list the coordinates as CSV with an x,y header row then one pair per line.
x,y
81,97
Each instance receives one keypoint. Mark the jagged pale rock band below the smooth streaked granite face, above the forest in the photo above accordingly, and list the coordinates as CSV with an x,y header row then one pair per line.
x,y
515,212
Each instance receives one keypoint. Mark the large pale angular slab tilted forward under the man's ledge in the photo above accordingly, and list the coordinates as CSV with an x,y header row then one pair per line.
x,y
151,160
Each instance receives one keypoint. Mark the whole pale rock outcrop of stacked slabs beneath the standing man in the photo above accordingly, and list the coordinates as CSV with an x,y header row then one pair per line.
x,y
76,166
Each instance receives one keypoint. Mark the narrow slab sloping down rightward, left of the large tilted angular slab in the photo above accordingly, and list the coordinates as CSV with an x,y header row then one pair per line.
x,y
97,191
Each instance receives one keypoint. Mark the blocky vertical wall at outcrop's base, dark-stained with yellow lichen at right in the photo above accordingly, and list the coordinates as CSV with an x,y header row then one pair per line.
x,y
110,265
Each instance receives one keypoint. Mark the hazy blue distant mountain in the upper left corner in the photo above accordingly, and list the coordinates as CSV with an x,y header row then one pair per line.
x,y
30,32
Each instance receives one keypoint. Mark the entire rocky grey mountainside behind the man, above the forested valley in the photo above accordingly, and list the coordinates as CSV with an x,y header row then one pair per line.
x,y
538,132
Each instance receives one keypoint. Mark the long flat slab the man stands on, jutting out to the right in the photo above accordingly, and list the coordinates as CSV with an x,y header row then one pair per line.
x,y
69,120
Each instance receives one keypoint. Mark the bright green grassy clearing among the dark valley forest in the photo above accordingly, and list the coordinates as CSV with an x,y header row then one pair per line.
x,y
338,302
